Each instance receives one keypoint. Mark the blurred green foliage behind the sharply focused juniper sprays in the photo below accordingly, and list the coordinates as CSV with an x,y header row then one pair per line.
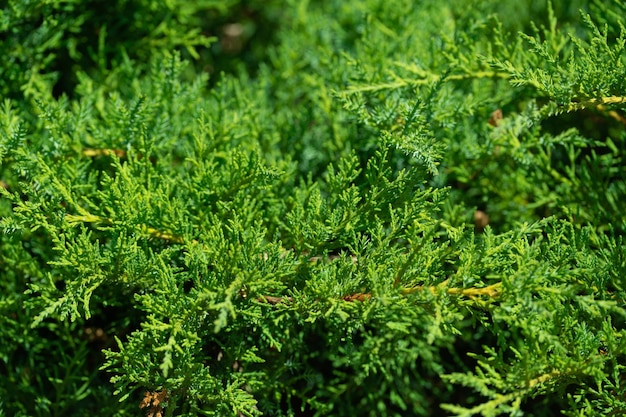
x,y
305,69
